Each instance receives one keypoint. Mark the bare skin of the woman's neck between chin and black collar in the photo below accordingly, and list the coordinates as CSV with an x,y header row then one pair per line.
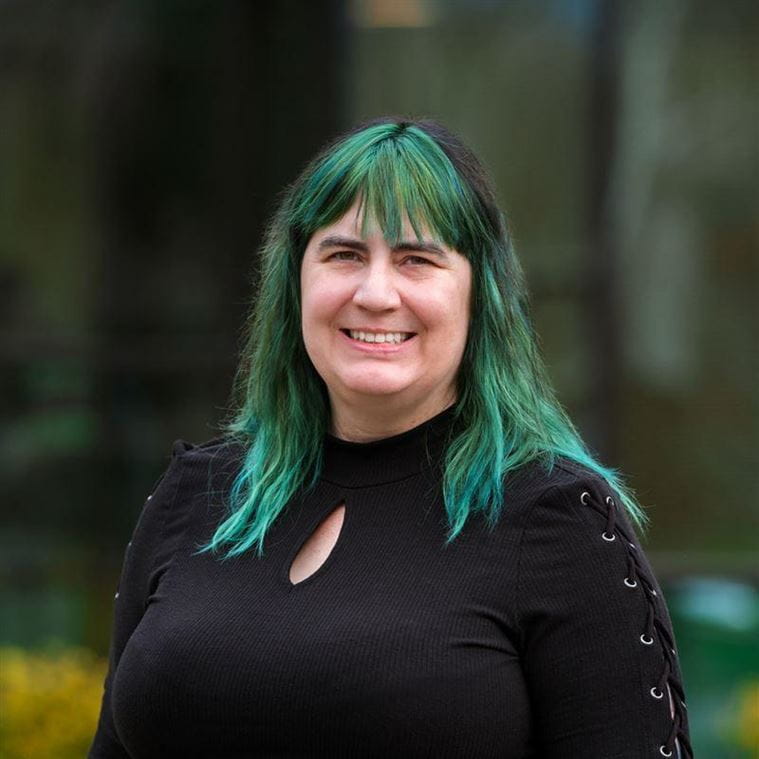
x,y
380,418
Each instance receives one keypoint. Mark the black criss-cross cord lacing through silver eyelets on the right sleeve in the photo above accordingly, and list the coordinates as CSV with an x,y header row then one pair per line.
x,y
654,628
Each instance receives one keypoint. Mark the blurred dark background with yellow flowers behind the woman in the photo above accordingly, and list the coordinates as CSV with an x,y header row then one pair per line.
x,y
142,147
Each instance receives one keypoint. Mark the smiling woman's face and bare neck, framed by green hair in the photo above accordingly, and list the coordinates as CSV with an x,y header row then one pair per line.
x,y
405,313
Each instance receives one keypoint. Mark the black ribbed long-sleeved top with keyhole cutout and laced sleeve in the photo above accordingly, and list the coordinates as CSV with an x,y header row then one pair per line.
x,y
547,636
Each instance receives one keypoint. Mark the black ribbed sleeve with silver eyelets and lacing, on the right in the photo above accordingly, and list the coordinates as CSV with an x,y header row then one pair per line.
x,y
599,654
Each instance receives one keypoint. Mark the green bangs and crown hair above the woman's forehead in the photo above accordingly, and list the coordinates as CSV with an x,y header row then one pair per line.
x,y
396,171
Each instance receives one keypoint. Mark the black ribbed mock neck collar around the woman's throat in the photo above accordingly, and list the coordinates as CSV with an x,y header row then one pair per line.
x,y
389,459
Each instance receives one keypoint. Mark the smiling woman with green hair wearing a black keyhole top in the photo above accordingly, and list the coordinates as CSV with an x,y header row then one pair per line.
x,y
400,546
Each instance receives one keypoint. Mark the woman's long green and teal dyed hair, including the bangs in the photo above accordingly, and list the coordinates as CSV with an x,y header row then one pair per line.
x,y
506,413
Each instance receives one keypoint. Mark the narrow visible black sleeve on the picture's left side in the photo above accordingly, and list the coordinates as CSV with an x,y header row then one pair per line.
x,y
138,577
